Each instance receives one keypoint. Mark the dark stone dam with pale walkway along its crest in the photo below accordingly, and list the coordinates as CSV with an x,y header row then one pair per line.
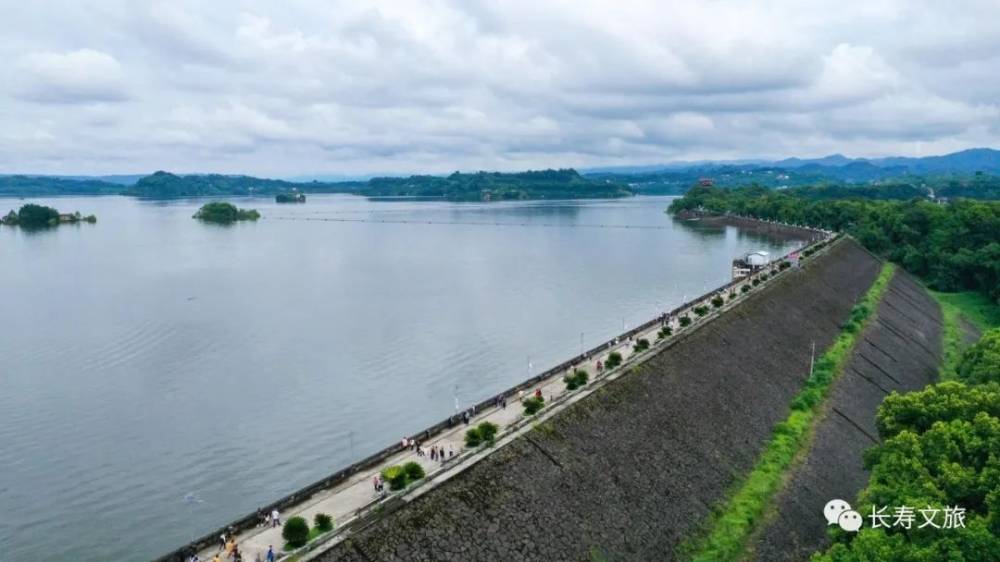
x,y
634,465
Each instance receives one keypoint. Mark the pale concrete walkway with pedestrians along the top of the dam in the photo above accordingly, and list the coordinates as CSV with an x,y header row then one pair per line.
x,y
343,501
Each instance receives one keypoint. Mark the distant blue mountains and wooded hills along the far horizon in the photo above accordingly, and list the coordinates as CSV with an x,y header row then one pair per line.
x,y
929,171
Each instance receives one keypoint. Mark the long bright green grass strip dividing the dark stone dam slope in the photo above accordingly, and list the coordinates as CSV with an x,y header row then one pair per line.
x,y
727,533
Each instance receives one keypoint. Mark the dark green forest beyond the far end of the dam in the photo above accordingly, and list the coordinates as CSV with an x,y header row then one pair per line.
x,y
953,247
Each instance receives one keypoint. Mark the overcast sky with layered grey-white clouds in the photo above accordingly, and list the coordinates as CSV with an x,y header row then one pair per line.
x,y
293,88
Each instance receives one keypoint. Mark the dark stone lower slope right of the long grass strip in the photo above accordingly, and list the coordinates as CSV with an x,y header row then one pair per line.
x,y
900,351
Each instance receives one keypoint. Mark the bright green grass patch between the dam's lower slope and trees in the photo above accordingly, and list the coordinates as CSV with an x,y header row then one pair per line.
x,y
976,309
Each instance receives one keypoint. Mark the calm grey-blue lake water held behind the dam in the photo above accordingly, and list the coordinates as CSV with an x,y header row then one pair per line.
x,y
162,376
